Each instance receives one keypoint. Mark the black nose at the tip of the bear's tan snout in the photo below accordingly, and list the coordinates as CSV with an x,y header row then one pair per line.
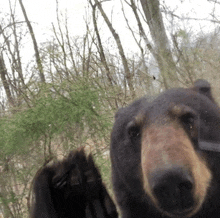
x,y
173,189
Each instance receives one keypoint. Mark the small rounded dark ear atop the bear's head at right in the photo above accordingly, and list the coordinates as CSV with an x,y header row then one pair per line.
x,y
203,87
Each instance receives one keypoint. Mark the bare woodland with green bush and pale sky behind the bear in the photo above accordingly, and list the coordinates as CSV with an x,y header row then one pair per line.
x,y
60,89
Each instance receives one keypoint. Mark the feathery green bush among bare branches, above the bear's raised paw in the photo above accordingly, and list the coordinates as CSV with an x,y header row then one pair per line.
x,y
55,111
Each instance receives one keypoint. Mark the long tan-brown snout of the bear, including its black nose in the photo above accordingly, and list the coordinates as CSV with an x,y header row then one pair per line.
x,y
175,177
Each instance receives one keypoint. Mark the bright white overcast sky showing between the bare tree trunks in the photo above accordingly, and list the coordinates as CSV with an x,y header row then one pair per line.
x,y
42,13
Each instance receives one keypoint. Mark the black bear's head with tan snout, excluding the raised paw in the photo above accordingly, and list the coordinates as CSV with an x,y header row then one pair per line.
x,y
166,157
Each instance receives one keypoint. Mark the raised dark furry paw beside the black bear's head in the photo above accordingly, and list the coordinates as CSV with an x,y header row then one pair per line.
x,y
71,188
